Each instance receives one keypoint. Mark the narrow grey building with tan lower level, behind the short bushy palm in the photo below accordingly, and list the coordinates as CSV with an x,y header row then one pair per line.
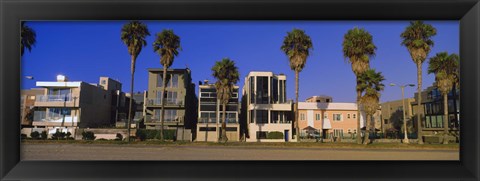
x,y
210,113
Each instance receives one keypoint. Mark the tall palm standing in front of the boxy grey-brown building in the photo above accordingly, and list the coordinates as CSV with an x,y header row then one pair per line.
x,y
167,45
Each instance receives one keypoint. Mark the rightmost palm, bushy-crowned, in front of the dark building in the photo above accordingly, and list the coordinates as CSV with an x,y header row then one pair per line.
x,y
445,68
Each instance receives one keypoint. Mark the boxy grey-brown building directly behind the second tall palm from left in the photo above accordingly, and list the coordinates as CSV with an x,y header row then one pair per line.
x,y
180,102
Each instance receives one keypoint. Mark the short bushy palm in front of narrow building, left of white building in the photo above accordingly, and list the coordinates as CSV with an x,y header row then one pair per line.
x,y
227,76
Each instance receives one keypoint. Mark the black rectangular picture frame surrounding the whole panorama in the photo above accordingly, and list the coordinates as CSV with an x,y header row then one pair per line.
x,y
13,11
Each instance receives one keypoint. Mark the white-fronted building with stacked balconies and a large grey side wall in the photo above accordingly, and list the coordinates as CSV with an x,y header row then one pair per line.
x,y
67,105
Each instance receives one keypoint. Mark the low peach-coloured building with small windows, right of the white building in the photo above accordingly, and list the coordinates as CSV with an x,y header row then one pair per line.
x,y
328,119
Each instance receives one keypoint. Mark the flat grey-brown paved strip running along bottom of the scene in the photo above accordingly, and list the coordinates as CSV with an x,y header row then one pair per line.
x,y
189,152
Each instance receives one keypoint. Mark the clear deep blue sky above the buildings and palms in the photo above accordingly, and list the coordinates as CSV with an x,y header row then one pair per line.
x,y
86,50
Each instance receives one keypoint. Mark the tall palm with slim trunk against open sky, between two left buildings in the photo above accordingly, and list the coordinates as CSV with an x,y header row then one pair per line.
x,y
133,35
